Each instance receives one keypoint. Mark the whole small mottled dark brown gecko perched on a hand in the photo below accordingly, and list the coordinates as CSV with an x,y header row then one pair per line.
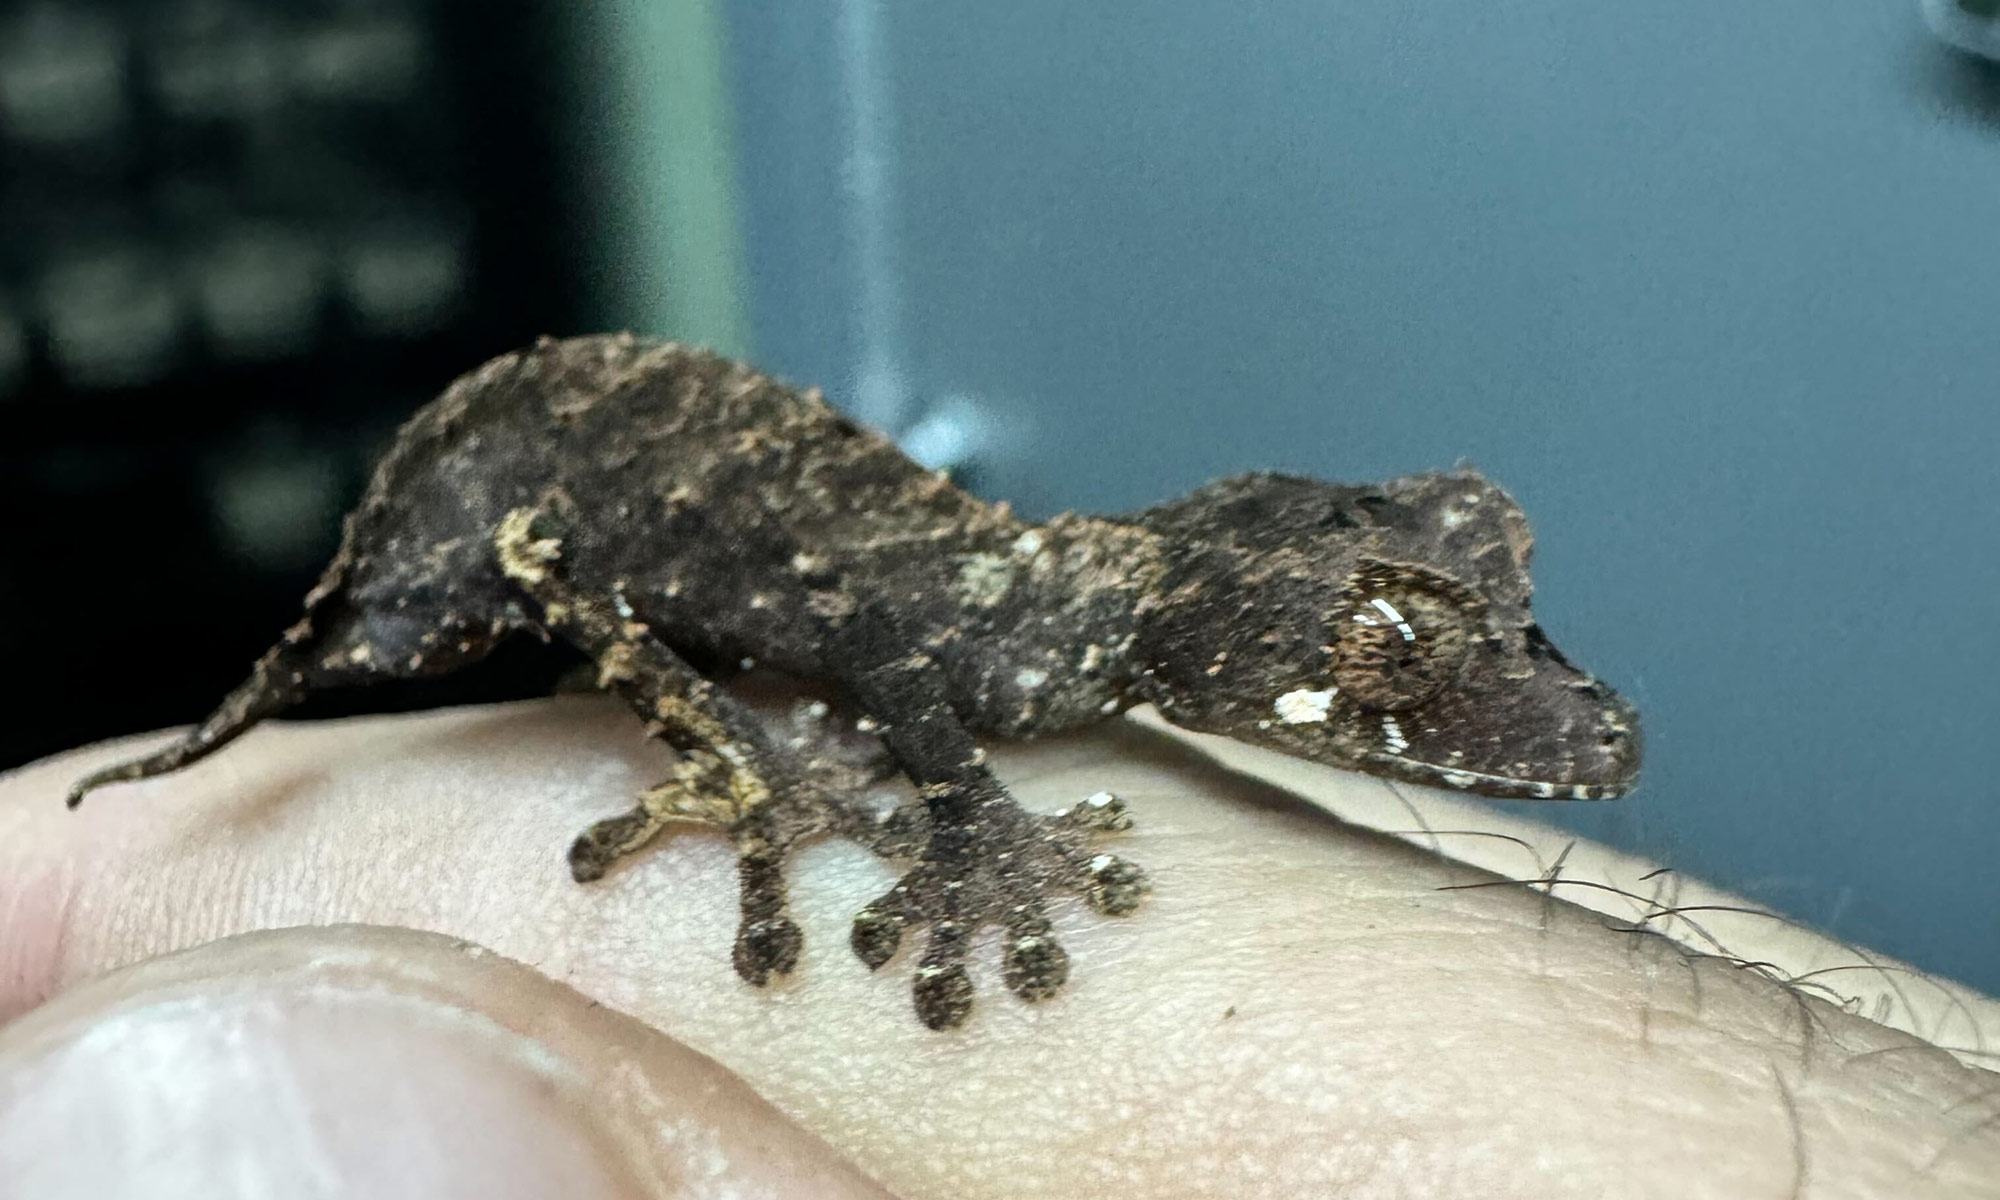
x,y
659,507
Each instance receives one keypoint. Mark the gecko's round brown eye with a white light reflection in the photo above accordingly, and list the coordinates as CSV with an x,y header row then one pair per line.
x,y
1399,643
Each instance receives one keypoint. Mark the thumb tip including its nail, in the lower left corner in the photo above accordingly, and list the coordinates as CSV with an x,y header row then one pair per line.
x,y
375,1063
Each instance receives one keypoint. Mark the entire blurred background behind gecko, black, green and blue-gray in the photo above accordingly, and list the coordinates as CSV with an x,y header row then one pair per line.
x,y
1709,287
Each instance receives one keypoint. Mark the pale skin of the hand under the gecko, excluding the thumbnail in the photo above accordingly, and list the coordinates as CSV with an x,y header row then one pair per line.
x,y
1309,1009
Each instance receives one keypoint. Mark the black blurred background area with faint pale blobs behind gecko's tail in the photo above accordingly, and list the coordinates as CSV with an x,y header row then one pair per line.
x,y
239,245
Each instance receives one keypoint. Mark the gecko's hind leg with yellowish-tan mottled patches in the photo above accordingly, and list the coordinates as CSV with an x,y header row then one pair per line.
x,y
731,775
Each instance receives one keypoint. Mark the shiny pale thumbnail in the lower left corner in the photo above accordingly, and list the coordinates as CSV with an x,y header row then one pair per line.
x,y
299,1089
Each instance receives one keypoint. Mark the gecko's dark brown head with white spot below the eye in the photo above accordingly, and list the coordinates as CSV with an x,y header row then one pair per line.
x,y
1377,629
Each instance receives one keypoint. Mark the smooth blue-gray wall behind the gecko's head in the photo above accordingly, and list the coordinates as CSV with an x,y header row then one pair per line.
x,y
1711,287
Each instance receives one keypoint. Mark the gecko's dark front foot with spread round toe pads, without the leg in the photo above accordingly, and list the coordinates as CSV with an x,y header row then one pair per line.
x,y
987,861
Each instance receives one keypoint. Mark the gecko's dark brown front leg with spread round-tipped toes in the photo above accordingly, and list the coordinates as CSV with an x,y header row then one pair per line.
x,y
985,859
